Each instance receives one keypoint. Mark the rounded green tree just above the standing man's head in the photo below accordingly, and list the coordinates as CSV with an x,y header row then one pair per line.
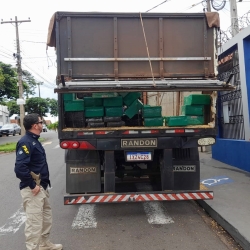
x,y
37,105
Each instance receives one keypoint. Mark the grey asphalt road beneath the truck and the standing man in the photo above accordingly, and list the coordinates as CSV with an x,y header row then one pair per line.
x,y
163,225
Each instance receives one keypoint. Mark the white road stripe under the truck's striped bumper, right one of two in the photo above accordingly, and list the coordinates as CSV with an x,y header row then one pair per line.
x,y
155,211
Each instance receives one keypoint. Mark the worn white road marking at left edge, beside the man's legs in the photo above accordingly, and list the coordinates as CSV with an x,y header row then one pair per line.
x,y
14,223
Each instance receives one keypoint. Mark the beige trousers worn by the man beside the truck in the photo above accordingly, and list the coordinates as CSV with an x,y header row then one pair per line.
x,y
38,217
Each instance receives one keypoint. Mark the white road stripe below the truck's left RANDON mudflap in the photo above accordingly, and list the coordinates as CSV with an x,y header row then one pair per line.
x,y
85,217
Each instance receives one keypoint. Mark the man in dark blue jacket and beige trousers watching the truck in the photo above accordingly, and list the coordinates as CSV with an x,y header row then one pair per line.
x,y
31,159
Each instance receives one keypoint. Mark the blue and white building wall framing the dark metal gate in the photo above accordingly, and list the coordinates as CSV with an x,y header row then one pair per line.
x,y
235,151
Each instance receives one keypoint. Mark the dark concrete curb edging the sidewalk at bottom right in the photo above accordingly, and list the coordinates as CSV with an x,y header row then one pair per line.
x,y
244,243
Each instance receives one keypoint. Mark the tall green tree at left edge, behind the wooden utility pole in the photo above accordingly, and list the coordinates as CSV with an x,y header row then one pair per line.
x,y
8,82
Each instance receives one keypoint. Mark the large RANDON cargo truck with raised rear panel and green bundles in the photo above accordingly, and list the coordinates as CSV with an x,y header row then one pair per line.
x,y
136,99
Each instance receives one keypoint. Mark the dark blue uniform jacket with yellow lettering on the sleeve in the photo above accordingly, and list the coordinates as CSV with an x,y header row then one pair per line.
x,y
30,156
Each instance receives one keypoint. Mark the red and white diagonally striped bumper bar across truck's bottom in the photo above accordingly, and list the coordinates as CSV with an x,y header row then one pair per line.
x,y
116,198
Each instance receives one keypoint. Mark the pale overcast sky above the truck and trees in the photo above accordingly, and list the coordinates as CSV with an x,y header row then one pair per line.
x,y
33,34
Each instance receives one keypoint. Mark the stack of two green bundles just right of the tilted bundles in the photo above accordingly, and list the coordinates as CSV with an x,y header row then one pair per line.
x,y
152,116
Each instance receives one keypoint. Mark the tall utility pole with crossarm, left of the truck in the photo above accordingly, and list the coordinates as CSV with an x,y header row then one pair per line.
x,y
19,70
